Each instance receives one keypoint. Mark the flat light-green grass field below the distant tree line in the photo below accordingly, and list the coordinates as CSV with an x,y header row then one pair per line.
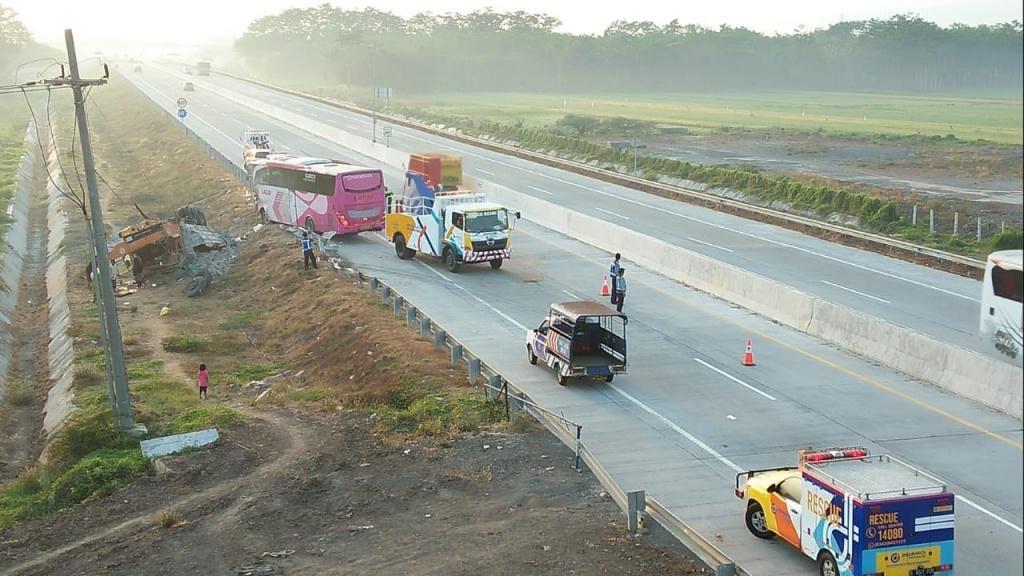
x,y
997,118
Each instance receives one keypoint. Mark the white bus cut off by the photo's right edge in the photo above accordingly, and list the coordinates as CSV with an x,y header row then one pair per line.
x,y
1002,312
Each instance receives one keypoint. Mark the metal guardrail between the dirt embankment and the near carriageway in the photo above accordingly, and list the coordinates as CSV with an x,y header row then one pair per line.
x,y
636,506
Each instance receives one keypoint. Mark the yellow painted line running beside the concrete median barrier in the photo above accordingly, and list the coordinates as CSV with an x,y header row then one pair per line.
x,y
808,354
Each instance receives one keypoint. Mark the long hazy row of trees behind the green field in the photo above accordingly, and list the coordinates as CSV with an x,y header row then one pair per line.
x,y
498,52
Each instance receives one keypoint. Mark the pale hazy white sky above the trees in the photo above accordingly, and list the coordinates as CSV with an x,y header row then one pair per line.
x,y
191,22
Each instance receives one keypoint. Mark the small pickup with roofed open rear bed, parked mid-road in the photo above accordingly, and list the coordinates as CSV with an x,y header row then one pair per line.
x,y
580,340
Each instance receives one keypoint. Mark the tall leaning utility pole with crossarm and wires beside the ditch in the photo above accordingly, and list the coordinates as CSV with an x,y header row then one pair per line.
x,y
103,275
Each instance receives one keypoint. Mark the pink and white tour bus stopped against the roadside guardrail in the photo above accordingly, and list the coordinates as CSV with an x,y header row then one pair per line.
x,y
322,196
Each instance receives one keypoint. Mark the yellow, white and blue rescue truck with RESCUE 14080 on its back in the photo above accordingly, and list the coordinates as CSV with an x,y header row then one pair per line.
x,y
855,514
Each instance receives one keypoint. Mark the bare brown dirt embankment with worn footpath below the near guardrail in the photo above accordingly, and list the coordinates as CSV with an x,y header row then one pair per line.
x,y
310,482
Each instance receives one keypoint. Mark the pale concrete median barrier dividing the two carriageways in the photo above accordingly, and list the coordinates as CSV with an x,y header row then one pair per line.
x,y
969,375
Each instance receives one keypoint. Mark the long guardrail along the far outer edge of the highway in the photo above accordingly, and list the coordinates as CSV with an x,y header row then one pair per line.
x,y
879,243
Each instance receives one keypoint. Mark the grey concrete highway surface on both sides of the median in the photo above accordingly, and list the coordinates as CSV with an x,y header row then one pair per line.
x,y
688,418
